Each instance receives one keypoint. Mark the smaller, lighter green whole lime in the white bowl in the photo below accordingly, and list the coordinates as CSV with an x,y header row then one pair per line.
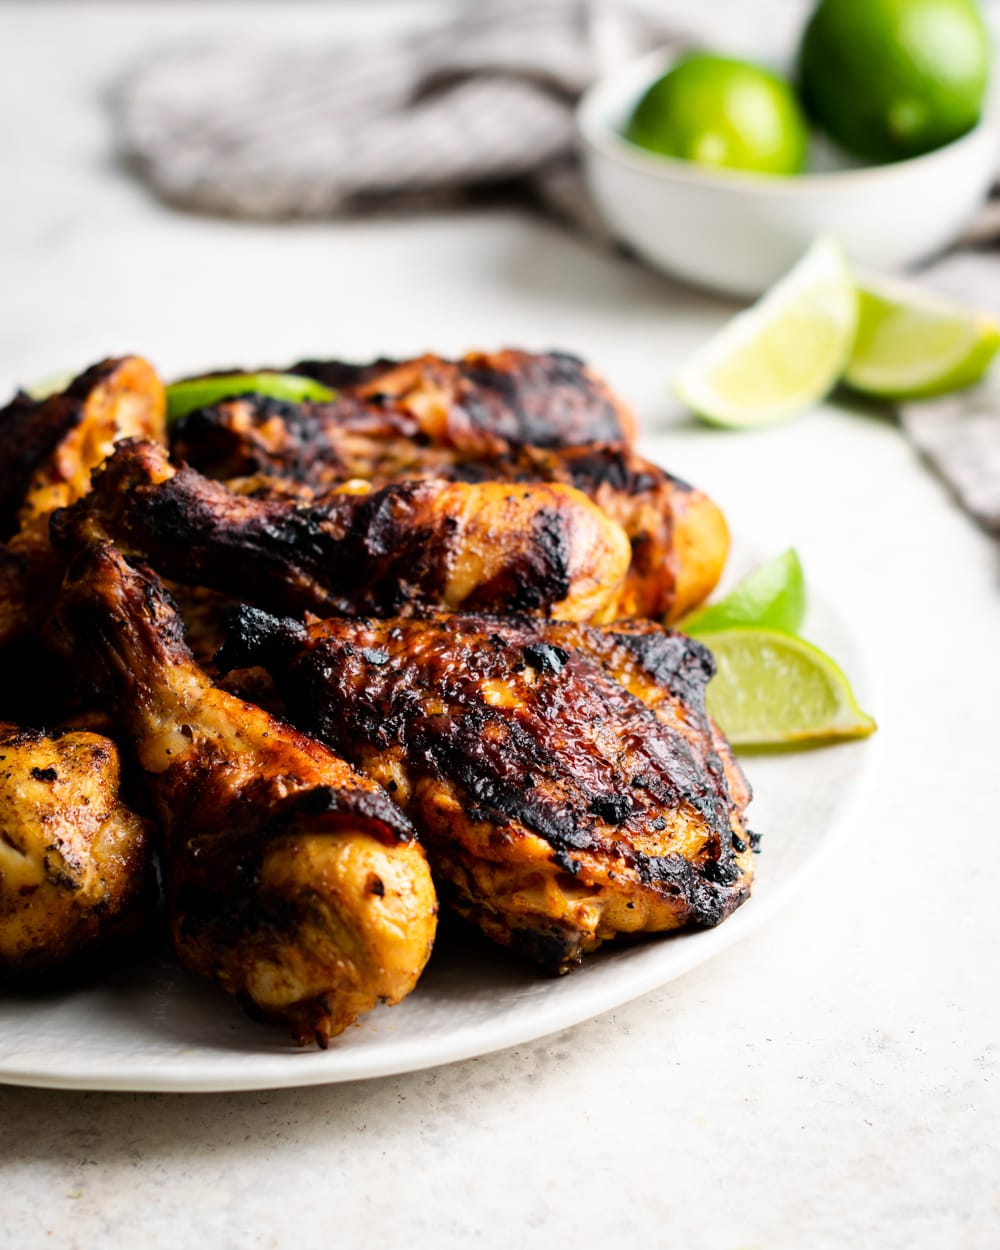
x,y
716,111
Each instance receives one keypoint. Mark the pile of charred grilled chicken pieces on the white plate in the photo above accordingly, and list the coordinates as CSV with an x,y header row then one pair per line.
x,y
327,663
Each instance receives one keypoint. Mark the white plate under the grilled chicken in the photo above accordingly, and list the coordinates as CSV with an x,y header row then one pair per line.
x,y
158,1028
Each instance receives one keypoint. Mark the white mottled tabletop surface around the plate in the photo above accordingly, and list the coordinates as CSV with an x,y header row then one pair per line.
x,y
831,1084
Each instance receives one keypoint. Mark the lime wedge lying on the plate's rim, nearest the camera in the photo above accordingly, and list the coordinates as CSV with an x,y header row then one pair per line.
x,y
773,689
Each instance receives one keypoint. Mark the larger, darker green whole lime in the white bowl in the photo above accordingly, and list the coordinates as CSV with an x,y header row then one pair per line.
x,y
891,79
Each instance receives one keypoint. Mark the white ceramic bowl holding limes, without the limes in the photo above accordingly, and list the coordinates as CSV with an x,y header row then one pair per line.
x,y
738,233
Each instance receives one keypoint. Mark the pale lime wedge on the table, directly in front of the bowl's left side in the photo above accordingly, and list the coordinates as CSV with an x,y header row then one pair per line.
x,y
782,356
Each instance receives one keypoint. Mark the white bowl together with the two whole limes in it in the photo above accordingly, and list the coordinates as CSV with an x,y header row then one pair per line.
x,y
886,134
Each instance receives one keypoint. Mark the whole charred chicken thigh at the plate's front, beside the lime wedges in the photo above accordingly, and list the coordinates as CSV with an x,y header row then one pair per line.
x,y
566,781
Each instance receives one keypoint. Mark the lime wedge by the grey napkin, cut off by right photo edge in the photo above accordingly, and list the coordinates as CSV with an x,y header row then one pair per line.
x,y
912,344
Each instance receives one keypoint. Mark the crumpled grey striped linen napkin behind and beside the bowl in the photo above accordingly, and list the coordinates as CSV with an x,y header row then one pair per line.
x,y
484,98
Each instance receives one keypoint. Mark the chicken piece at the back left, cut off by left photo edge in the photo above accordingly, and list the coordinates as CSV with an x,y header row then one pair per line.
x,y
48,449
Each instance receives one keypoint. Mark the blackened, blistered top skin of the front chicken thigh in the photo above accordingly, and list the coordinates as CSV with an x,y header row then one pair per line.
x,y
577,759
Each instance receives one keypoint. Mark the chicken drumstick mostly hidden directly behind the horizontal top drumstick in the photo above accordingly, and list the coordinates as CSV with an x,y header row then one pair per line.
x,y
679,538
